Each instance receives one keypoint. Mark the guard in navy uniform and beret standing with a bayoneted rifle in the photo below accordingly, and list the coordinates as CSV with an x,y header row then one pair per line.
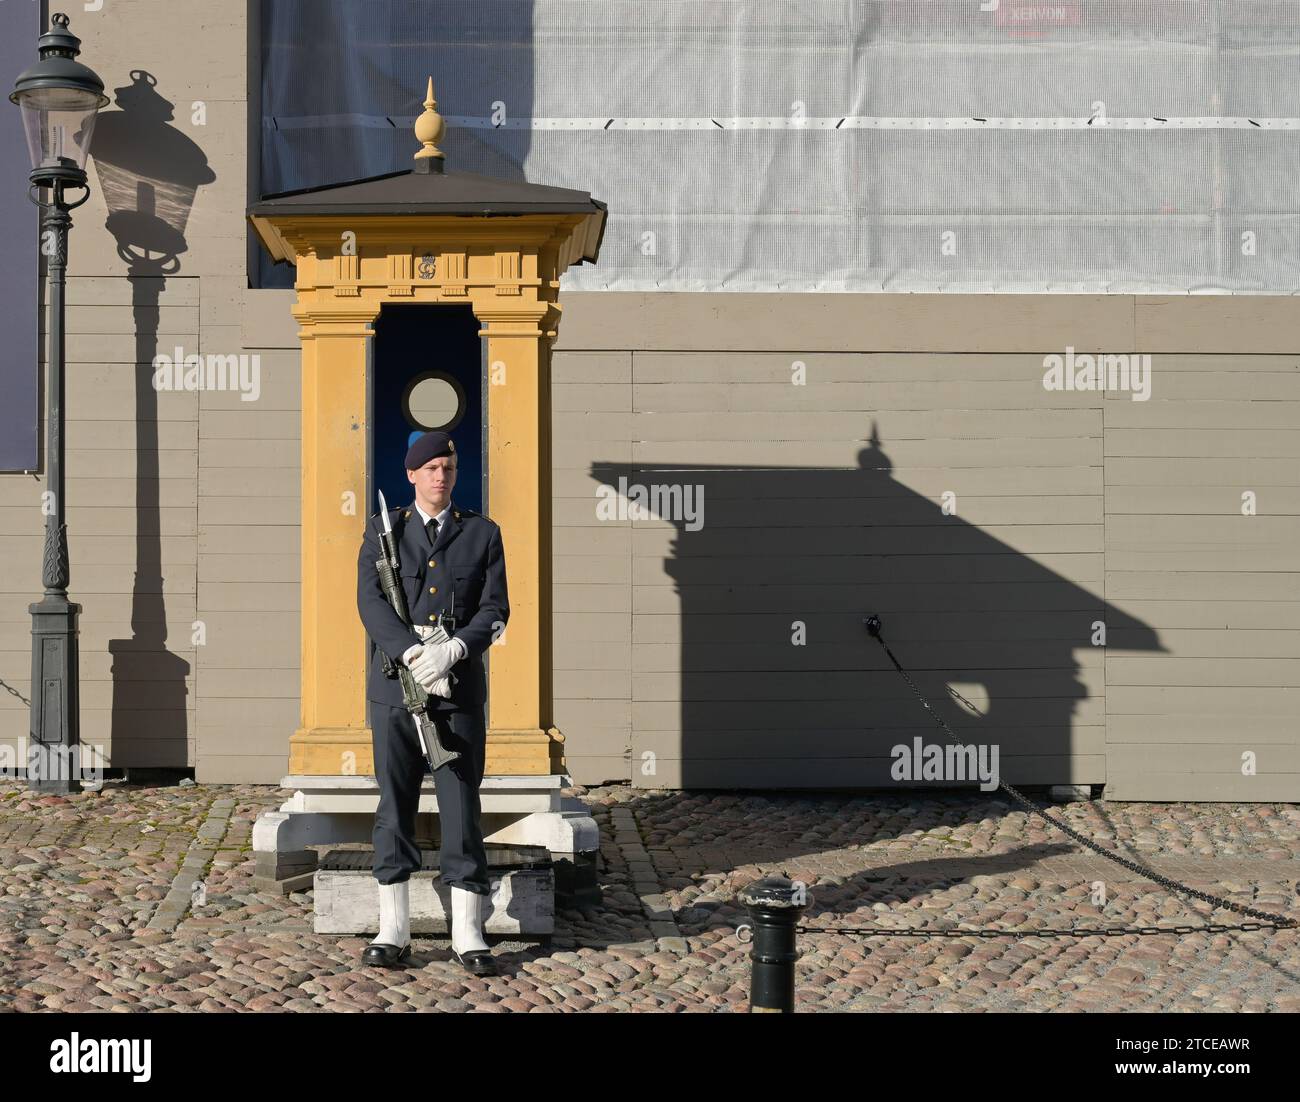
x,y
452,561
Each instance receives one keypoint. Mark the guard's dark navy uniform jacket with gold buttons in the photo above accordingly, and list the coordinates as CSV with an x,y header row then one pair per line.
x,y
469,561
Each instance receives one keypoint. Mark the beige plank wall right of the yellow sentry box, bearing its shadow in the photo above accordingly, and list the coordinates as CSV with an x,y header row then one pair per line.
x,y
1073,510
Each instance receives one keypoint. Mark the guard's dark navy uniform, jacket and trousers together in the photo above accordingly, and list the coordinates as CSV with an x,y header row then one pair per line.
x,y
462,572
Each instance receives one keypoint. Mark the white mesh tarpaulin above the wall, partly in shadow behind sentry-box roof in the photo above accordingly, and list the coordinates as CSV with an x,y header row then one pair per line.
x,y
1098,146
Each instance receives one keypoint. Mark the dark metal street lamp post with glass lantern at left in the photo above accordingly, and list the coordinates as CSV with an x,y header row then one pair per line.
x,y
59,98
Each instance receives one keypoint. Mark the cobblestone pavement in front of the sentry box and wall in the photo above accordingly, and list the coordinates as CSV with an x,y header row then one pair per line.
x,y
140,899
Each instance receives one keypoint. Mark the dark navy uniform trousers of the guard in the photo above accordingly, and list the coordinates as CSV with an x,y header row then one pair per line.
x,y
400,769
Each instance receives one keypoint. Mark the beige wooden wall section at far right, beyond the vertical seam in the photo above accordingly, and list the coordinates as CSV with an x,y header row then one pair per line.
x,y
1216,718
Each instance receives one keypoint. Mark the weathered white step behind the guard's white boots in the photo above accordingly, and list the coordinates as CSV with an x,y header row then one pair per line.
x,y
522,900
